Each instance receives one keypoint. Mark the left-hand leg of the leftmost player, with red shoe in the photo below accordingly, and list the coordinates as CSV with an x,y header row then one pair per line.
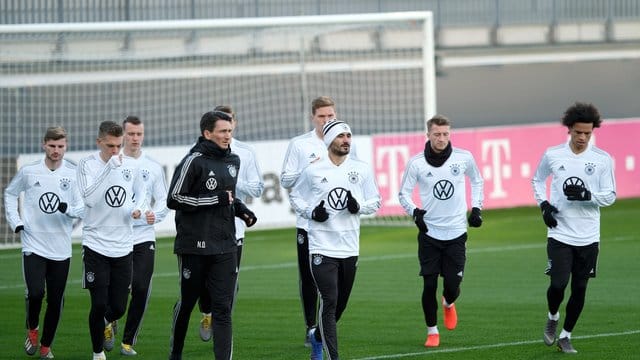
x,y
33,271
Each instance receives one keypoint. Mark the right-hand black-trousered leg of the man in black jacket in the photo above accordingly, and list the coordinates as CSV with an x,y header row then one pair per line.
x,y
221,279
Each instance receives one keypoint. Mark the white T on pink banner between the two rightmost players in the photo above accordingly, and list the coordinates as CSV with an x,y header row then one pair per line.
x,y
496,153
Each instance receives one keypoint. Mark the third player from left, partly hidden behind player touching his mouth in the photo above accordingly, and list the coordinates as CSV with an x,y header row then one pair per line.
x,y
144,238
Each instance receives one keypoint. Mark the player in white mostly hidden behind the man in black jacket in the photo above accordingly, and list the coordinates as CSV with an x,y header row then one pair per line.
x,y
249,185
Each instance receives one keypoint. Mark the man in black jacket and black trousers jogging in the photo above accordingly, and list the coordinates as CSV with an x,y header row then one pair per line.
x,y
202,192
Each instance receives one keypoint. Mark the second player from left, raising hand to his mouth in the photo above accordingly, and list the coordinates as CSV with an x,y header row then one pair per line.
x,y
108,183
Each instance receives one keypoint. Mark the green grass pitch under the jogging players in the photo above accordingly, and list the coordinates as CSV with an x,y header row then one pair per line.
x,y
502,307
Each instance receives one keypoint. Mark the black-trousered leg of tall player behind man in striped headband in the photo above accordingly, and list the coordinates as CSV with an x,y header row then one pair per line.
x,y
307,287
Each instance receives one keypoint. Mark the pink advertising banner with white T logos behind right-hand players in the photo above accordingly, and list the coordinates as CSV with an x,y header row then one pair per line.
x,y
507,158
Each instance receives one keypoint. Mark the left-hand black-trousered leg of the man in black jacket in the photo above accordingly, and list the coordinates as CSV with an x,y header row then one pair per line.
x,y
191,284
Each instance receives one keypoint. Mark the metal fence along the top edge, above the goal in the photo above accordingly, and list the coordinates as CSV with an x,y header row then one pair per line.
x,y
447,12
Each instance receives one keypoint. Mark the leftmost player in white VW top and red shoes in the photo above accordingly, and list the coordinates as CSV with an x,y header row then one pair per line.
x,y
51,203
